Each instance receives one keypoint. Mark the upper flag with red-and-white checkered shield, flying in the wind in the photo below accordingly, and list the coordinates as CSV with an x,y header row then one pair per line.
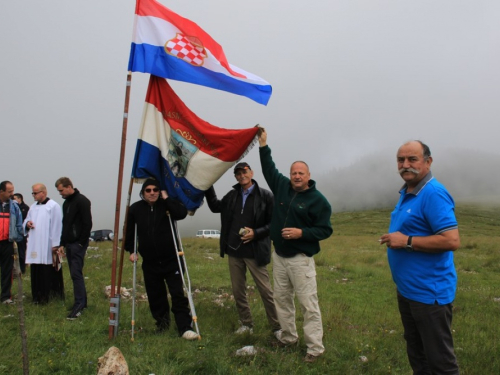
x,y
170,46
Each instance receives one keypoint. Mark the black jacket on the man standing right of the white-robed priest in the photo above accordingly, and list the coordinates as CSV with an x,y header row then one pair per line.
x,y
77,219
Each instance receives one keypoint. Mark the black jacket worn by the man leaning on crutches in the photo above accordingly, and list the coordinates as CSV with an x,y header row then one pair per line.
x,y
156,242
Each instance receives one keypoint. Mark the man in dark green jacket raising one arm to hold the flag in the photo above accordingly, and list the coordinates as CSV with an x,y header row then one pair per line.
x,y
301,218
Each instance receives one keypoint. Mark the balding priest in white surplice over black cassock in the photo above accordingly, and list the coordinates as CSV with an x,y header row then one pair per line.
x,y
43,224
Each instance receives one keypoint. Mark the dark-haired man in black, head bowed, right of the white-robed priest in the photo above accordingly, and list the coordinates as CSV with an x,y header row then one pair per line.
x,y
77,224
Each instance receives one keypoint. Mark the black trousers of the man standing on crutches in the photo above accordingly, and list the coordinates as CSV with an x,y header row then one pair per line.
x,y
157,276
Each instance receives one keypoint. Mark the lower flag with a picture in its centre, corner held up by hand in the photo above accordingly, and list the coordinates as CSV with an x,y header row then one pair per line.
x,y
185,153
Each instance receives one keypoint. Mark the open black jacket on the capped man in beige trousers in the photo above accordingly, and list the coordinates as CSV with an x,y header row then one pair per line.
x,y
263,208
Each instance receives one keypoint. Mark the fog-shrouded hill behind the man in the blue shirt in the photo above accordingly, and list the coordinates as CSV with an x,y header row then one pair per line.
x,y
373,181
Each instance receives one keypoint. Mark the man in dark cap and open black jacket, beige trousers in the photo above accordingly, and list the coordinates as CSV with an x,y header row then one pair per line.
x,y
245,217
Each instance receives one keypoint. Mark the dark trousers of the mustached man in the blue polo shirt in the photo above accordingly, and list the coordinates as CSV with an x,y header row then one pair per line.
x,y
429,342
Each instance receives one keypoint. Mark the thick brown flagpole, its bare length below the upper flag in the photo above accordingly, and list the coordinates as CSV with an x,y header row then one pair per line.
x,y
113,311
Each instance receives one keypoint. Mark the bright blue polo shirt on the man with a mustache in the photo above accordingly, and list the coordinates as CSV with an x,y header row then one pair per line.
x,y
424,277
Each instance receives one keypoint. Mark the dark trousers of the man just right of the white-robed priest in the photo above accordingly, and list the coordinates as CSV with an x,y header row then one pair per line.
x,y
76,257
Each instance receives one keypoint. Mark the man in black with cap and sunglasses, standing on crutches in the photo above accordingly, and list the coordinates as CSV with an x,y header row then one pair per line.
x,y
159,258
